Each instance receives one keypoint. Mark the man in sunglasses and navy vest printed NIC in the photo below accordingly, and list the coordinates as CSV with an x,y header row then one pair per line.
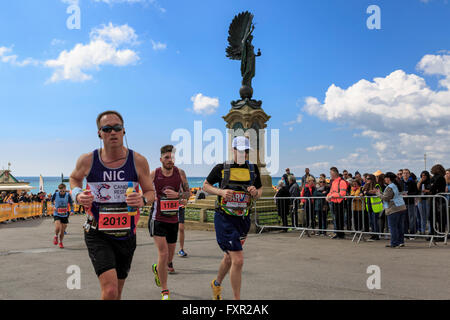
x,y
110,229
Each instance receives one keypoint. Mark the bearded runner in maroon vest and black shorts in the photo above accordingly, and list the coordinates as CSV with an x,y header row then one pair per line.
x,y
171,188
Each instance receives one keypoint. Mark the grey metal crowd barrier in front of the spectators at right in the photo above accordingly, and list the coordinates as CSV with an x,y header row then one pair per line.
x,y
284,207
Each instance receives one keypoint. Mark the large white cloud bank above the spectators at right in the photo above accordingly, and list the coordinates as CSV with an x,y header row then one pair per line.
x,y
400,113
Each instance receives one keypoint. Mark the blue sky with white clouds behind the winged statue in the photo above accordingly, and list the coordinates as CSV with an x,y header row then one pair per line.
x,y
148,59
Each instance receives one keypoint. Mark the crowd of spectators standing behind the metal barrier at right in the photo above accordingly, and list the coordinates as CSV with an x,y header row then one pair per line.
x,y
365,202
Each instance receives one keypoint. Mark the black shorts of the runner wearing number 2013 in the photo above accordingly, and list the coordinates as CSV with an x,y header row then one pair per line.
x,y
107,253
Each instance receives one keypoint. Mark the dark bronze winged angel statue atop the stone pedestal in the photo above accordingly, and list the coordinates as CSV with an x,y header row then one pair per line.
x,y
240,48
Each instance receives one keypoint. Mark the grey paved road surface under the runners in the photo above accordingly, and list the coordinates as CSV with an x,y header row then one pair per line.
x,y
277,266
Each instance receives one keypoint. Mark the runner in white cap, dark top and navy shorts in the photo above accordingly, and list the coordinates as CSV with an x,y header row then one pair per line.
x,y
240,184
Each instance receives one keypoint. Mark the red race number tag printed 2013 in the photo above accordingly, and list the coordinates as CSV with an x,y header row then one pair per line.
x,y
114,219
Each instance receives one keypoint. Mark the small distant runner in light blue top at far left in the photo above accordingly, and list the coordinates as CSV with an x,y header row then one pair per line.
x,y
61,200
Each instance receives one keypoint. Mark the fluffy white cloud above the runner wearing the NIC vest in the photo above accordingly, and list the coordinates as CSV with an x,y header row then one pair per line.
x,y
103,49
